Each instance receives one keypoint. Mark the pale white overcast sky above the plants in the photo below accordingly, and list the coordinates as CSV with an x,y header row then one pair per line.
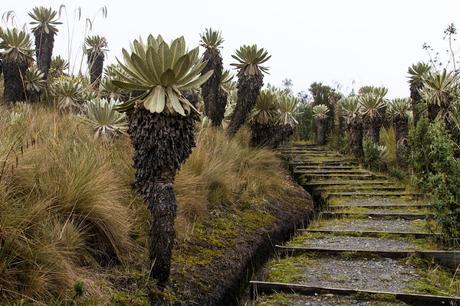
x,y
352,43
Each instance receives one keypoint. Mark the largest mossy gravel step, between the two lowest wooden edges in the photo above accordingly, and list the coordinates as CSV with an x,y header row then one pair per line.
x,y
363,269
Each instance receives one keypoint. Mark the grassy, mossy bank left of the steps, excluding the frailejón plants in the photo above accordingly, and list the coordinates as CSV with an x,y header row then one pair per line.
x,y
73,230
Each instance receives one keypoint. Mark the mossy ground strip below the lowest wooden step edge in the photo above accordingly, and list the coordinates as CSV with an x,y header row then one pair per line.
x,y
319,300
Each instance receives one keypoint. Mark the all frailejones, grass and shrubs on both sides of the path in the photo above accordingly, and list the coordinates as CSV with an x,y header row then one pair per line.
x,y
138,181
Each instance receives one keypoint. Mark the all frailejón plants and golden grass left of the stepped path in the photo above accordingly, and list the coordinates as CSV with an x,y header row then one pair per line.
x,y
117,184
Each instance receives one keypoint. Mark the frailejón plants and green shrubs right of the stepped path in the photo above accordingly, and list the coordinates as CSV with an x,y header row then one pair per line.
x,y
416,139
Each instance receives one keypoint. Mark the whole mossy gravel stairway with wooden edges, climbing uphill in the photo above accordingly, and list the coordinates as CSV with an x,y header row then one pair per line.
x,y
370,244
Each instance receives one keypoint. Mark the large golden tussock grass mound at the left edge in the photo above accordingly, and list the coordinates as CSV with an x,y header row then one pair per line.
x,y
63,206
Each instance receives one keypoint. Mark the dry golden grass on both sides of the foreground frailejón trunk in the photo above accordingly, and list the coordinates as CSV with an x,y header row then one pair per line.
x,y
67,204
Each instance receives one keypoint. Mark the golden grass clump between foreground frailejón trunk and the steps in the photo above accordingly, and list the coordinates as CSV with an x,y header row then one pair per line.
x,y
225,173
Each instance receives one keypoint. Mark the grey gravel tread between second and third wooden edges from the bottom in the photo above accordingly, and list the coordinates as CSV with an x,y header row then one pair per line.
x,y
359,243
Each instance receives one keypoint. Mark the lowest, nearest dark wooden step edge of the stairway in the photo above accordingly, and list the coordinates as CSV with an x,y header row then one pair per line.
x,y
262,287
